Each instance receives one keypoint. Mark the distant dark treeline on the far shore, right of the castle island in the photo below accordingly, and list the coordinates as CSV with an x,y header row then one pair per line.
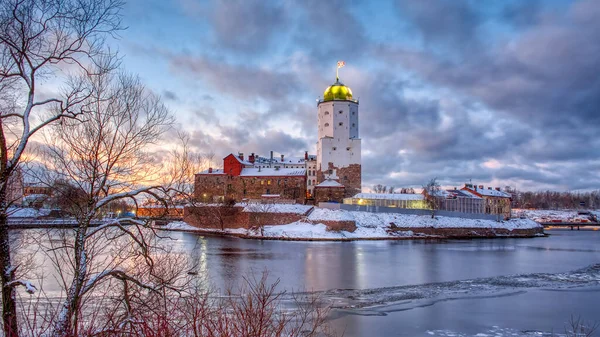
x,y
555,200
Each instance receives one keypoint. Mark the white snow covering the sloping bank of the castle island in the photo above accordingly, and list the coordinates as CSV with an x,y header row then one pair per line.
x,y
368,225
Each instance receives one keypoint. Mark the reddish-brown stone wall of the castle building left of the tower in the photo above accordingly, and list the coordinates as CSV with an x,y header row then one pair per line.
x,y
210,187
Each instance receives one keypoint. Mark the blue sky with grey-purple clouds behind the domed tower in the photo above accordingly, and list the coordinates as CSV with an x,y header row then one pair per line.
x,y
499,93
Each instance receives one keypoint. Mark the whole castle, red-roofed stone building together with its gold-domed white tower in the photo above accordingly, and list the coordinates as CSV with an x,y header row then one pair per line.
x,y
333,174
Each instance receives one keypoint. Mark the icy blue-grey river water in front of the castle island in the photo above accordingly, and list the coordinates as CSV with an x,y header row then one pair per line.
x,y
499,287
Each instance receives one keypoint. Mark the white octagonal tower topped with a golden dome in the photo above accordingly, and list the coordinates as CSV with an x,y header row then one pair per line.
x,y
338,147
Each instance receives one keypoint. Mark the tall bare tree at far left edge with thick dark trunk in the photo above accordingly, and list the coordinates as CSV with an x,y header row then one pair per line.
x,y
41,39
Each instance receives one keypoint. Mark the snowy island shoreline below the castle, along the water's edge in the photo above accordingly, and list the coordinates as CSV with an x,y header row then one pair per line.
x,y
375,226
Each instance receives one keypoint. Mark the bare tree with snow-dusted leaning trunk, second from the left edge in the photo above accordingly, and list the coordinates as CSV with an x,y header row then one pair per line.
x,y
103,157
